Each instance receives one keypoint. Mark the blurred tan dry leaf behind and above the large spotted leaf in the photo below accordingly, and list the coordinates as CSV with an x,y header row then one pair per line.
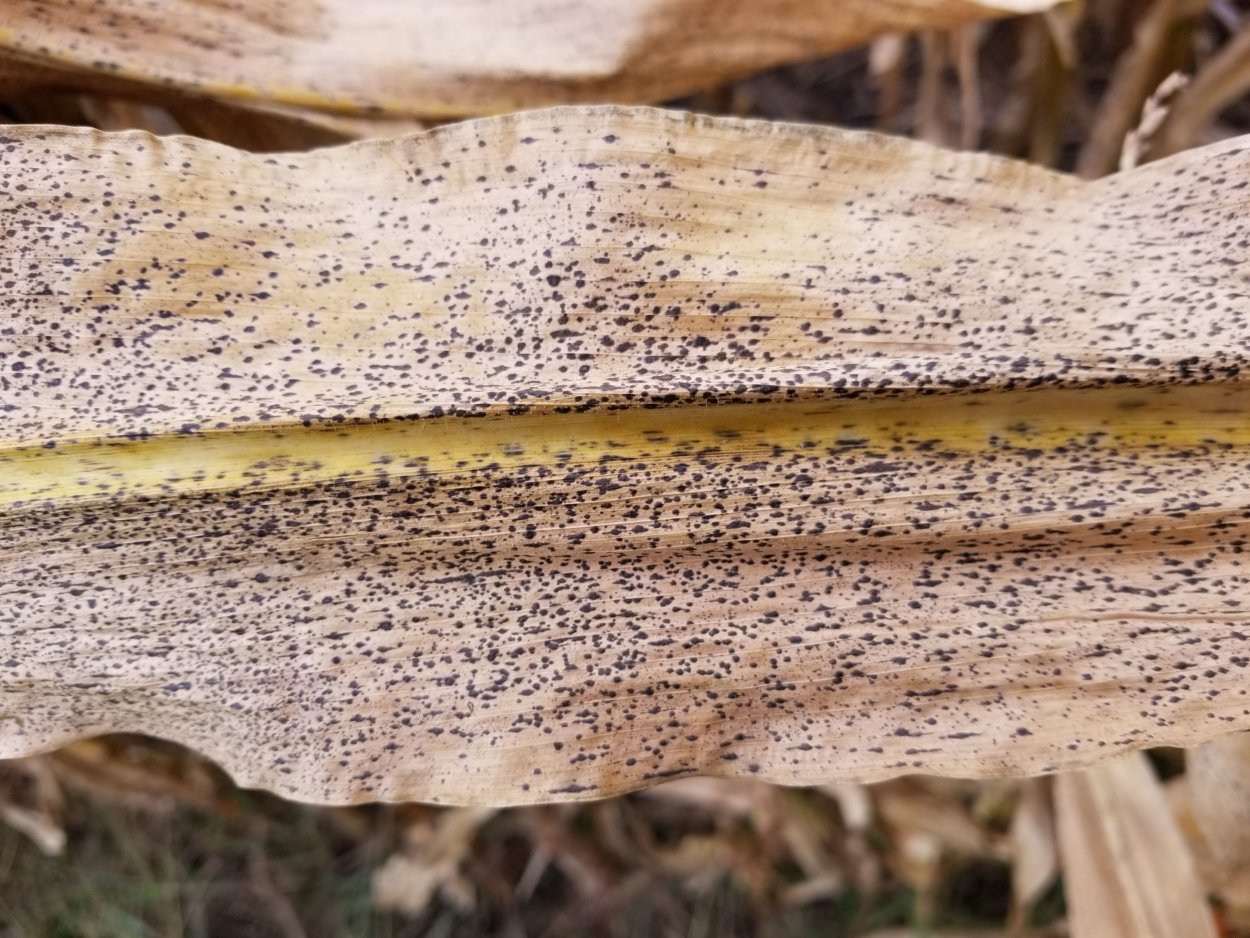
x,y
441,58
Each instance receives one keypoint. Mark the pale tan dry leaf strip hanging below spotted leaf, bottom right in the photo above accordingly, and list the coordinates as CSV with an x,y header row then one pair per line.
x,y
1127,869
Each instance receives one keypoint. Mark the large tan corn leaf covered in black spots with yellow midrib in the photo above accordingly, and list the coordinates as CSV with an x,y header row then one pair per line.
x,y
553,456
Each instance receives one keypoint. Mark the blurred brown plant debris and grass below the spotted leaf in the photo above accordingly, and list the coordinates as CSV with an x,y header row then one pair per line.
x,y
698,857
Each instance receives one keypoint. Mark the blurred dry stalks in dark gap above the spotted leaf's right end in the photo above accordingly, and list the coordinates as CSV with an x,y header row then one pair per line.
x,y
1062,88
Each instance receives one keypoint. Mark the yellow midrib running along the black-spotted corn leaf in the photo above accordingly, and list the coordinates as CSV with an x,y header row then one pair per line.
x,y
1118,418
